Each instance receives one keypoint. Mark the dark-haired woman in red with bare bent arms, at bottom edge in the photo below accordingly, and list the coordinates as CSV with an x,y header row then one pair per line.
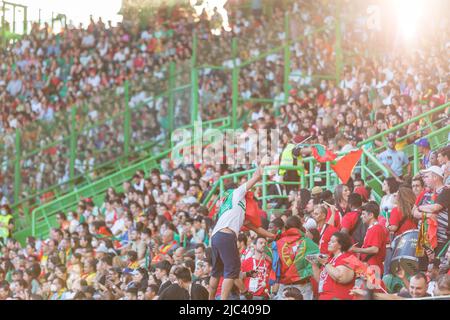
x,y
335,278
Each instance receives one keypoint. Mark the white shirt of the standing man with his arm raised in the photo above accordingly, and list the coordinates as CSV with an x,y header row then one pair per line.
x,y
234,217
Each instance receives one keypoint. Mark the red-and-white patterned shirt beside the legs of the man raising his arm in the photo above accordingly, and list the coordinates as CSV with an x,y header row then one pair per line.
x,y
263,267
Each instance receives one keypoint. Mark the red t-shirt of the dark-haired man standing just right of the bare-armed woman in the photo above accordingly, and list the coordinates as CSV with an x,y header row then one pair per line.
x,y
376,237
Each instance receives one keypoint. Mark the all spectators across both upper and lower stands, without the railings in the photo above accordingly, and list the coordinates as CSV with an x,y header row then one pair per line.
x,y
153,239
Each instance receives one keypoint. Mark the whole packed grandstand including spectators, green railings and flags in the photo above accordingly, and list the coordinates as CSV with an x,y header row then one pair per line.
x,y
99,202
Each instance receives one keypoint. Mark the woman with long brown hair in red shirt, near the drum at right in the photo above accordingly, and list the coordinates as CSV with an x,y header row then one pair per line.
x,y
401,218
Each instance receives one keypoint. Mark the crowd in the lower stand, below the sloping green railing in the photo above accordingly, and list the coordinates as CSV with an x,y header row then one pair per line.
x,y
153,241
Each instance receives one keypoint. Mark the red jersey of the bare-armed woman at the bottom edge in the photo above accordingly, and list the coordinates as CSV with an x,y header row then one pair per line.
x,y
329,288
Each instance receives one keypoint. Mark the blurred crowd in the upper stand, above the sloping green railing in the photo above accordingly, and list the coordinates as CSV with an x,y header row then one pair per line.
x,y
91,74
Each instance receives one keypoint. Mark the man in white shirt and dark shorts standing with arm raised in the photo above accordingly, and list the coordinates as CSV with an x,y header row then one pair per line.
x,y
225,254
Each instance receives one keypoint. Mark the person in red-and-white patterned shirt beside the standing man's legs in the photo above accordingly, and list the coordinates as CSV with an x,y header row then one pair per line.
x,y
257,269
